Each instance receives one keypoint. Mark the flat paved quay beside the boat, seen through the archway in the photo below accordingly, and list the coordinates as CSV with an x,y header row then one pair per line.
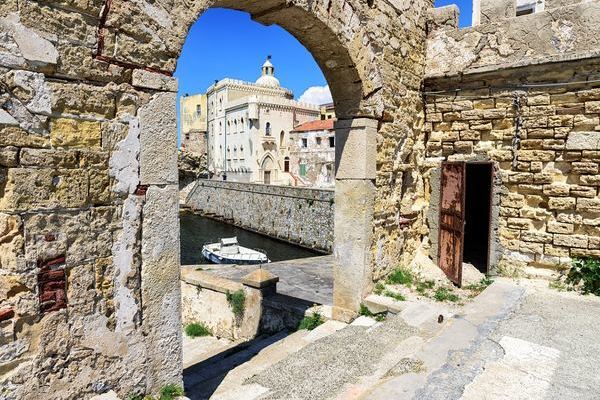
x,y
309,279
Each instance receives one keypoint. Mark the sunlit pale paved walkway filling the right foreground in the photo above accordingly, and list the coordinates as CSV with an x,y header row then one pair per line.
x,y
517,340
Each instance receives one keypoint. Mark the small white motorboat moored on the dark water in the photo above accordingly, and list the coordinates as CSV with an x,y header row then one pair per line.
x,y
228,251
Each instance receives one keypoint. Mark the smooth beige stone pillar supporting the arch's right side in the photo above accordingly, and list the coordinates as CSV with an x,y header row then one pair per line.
x,y
353,215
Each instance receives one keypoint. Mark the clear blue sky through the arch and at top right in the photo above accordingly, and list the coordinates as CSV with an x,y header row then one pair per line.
x,y
228,44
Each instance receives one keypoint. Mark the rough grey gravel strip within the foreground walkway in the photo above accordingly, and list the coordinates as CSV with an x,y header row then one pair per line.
x,y
321,369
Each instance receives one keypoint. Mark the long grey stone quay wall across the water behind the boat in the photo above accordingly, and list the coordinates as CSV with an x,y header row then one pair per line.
x,y
297,215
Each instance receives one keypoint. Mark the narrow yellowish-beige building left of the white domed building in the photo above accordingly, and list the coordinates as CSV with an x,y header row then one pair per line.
x,y
192,112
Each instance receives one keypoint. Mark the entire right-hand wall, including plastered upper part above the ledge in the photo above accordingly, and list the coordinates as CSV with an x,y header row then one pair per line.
x,y
523,93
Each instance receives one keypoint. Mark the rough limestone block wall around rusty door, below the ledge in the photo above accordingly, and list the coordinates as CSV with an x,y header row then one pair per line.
x,y
547,185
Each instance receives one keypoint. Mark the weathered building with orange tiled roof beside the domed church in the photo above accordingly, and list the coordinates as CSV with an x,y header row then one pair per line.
x,y
312,153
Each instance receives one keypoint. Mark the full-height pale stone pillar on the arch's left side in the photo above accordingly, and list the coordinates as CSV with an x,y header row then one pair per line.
x,y
161,290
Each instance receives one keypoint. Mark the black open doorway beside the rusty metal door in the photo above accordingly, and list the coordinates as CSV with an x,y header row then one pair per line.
x,y
478,201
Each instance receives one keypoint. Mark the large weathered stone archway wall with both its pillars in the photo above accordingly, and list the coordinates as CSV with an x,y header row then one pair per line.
x,y
89,173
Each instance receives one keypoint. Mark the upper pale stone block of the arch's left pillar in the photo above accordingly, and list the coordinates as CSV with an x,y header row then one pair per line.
x,y
158,140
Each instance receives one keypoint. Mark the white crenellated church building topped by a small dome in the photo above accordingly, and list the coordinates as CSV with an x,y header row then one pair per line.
x,y
248,129
